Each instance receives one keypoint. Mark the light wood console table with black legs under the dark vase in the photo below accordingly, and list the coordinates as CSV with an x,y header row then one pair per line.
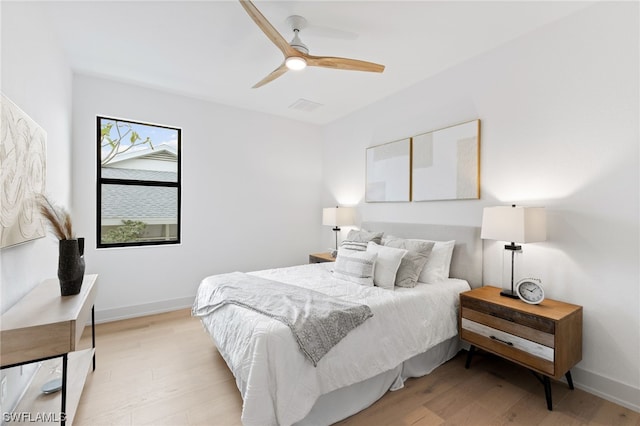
x,y
43,326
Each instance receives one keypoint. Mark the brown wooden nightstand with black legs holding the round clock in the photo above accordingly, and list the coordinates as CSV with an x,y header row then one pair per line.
x,y
545,338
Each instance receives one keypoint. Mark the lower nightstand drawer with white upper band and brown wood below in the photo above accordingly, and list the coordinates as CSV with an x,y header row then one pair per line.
x,y
525,352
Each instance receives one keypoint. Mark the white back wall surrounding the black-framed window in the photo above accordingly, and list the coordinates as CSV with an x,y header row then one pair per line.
x,y
251,186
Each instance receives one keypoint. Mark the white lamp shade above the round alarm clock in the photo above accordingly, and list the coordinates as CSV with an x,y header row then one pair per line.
x,y
514,224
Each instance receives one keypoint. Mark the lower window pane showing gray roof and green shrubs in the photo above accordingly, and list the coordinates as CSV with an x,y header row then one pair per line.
x,y
135,213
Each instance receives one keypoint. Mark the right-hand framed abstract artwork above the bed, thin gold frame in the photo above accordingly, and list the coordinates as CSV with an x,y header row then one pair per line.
x,y
446,163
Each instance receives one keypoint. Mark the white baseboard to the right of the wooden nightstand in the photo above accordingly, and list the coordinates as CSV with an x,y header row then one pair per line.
x,y
609,389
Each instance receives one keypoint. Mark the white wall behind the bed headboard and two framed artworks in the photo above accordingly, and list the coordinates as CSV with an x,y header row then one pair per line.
x,y
560,128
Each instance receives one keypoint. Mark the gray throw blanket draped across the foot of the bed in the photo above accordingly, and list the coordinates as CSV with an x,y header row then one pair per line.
x,y
318,322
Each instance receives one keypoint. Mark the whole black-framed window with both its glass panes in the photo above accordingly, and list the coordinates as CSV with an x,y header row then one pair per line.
x,y
138,183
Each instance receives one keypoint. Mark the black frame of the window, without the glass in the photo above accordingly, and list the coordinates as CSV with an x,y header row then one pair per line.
x,y
150,183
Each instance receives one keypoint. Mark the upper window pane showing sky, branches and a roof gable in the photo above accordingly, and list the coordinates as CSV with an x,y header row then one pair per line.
x,y
136,151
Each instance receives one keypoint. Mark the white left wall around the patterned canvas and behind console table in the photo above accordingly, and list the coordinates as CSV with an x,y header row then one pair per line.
x,y
37,78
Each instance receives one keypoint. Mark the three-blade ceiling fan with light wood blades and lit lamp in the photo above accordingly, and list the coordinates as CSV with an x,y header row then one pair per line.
x,y
296,54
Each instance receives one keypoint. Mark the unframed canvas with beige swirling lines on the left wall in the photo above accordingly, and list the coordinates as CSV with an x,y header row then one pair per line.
x,y
22,175
